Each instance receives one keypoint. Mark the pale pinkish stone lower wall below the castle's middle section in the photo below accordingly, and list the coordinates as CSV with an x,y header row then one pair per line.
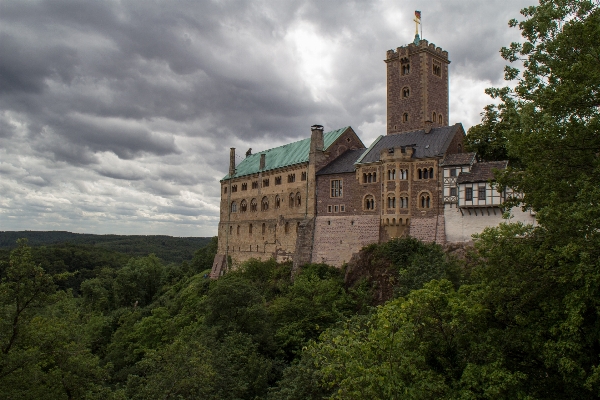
x,y
337,238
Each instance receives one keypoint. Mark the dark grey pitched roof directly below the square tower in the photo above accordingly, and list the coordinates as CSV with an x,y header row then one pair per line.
x,y
432,144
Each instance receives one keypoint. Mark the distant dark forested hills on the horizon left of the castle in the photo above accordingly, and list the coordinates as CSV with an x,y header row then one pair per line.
x,y
168,248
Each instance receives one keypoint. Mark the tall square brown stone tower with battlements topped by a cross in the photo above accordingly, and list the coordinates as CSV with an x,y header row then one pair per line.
x,y
417,87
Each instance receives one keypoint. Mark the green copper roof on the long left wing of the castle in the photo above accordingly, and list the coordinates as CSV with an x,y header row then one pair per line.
x,y
282,156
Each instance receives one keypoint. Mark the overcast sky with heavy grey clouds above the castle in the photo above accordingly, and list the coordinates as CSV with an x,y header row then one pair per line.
x,y
117,116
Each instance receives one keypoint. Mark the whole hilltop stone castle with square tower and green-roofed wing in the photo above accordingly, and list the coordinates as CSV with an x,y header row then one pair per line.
x,y
323,198
